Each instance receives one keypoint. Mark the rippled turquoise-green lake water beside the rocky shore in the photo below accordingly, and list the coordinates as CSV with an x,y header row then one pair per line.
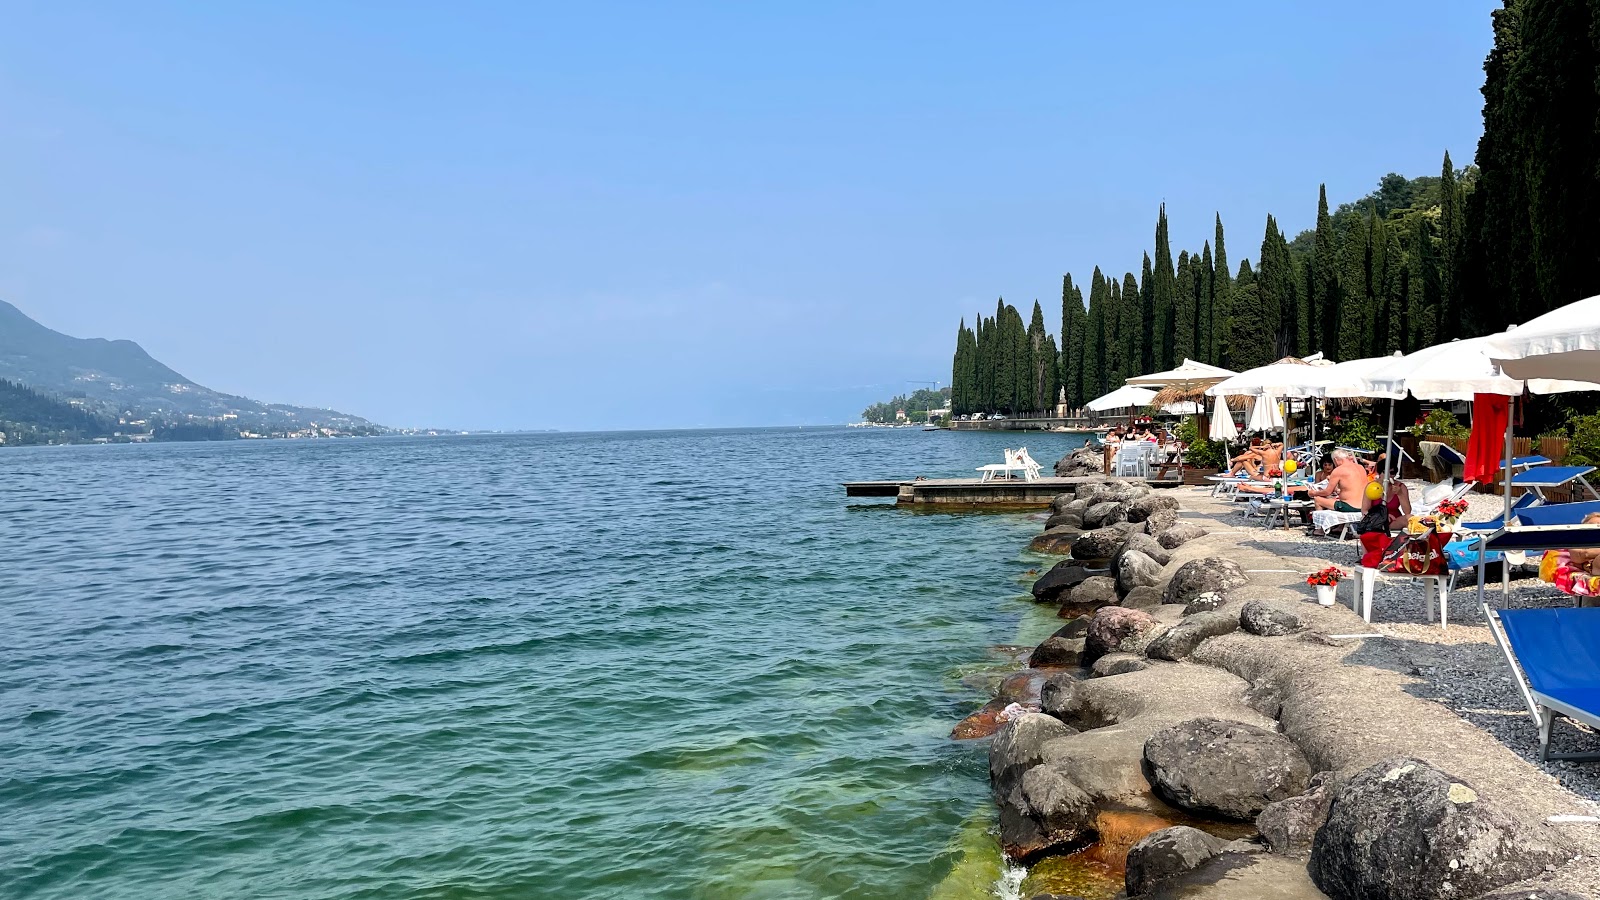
x,y
590,665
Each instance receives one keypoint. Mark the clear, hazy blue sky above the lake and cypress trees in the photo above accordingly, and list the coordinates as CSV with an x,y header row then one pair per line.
x,y
514,215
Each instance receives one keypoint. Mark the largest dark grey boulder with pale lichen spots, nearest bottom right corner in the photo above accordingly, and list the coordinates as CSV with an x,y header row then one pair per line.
x,y
1406,830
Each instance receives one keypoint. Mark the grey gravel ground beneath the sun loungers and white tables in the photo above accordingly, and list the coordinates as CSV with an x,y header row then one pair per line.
x,y
1460,667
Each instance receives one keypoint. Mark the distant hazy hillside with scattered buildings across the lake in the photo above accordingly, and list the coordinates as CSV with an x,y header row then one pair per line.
x,y
119,379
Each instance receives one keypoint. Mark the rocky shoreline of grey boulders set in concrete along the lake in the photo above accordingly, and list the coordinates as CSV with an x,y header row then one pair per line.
x,y
1196,681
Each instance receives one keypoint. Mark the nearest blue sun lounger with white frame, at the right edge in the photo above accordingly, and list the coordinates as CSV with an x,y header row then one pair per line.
x,y
1556,659
